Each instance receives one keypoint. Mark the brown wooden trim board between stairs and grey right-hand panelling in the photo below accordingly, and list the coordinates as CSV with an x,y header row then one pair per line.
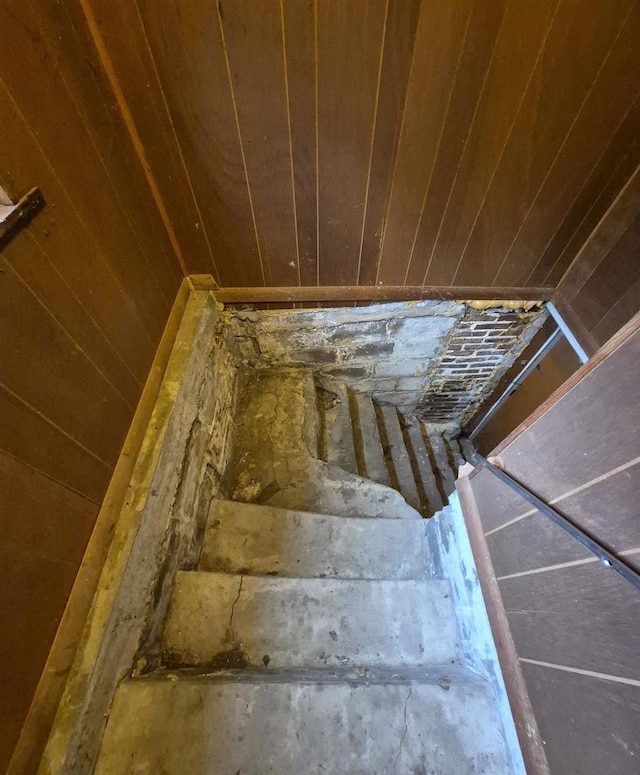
x,y
531,744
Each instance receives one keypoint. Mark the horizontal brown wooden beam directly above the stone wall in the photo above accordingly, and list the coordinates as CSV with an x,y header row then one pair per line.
x,y
378,293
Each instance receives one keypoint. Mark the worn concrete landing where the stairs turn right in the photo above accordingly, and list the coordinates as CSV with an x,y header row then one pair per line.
x,y
276,442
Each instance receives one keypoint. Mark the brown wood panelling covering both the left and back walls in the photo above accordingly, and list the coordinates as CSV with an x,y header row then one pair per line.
x,y
264,142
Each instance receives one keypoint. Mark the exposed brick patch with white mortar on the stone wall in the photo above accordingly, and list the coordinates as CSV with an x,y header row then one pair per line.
x,y
483,345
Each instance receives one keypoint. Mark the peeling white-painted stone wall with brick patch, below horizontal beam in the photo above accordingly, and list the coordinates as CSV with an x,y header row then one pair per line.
x,y
432,358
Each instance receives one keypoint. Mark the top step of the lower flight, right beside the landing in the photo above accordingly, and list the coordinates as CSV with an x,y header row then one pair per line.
x,y
335,424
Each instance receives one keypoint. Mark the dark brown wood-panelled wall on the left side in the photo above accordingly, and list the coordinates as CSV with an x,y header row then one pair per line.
x,y
84,295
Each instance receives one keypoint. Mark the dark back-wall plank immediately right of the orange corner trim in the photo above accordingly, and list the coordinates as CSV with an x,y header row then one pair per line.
x,y
117,23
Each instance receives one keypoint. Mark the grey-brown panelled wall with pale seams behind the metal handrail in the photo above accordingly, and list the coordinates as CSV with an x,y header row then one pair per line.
x,y
575,622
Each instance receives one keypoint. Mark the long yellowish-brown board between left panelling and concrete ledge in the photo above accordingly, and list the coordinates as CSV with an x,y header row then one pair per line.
x,y
42,711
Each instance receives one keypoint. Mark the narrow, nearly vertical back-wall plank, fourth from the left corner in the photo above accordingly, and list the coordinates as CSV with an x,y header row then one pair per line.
x,y
299,41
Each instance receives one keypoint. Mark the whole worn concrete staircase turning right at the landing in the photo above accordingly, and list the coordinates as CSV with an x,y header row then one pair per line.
x,y
317,633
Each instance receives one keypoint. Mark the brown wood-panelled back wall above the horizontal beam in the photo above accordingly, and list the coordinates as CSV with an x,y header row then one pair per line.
x,y
345,142
